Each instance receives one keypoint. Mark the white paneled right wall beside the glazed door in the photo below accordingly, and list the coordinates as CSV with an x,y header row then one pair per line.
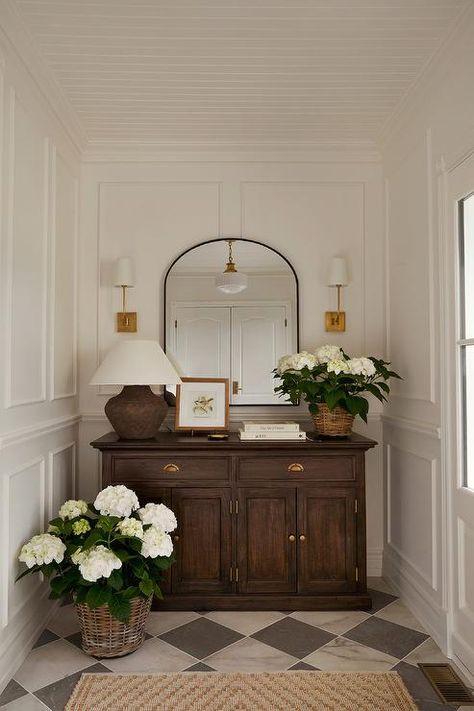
x,y
431,135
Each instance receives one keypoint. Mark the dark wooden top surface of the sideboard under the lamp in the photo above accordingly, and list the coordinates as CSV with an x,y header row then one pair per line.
x,y
176,440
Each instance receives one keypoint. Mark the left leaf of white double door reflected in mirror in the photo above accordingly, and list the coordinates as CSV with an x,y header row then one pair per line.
x,y
201,341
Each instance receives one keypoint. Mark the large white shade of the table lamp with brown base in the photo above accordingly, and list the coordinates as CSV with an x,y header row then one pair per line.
x,y
136,362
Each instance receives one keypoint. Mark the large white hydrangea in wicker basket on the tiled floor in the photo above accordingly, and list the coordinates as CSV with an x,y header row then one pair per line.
x,y
110,556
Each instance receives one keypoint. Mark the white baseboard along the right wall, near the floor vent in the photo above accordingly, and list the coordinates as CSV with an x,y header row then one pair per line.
x,y
425,608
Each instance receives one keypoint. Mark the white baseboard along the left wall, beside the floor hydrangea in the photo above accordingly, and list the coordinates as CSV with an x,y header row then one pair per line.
x,y
17,640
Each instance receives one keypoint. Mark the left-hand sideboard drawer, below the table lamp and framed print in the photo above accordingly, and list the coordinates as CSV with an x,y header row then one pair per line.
x,y
169,468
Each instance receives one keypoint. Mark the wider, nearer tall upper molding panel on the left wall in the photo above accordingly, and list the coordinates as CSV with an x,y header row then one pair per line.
x,y
22,315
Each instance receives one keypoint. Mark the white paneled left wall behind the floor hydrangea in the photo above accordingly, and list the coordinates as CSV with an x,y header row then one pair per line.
x,y
38,380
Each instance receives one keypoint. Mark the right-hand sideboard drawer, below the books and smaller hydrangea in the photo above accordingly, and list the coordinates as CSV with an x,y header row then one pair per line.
x,y
297,468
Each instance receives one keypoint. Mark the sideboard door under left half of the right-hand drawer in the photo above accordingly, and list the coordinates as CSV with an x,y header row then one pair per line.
x,y
266,557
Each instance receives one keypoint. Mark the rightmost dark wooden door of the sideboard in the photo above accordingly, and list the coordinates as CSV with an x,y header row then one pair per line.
x,y
326,540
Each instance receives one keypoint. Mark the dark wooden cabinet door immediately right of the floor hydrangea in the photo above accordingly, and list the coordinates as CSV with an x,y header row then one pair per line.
x,y
203,540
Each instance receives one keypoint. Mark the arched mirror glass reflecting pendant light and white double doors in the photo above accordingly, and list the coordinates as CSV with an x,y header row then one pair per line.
x,y
232,312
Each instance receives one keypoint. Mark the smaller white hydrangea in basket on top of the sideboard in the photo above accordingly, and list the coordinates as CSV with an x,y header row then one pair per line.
x,y
334,385
